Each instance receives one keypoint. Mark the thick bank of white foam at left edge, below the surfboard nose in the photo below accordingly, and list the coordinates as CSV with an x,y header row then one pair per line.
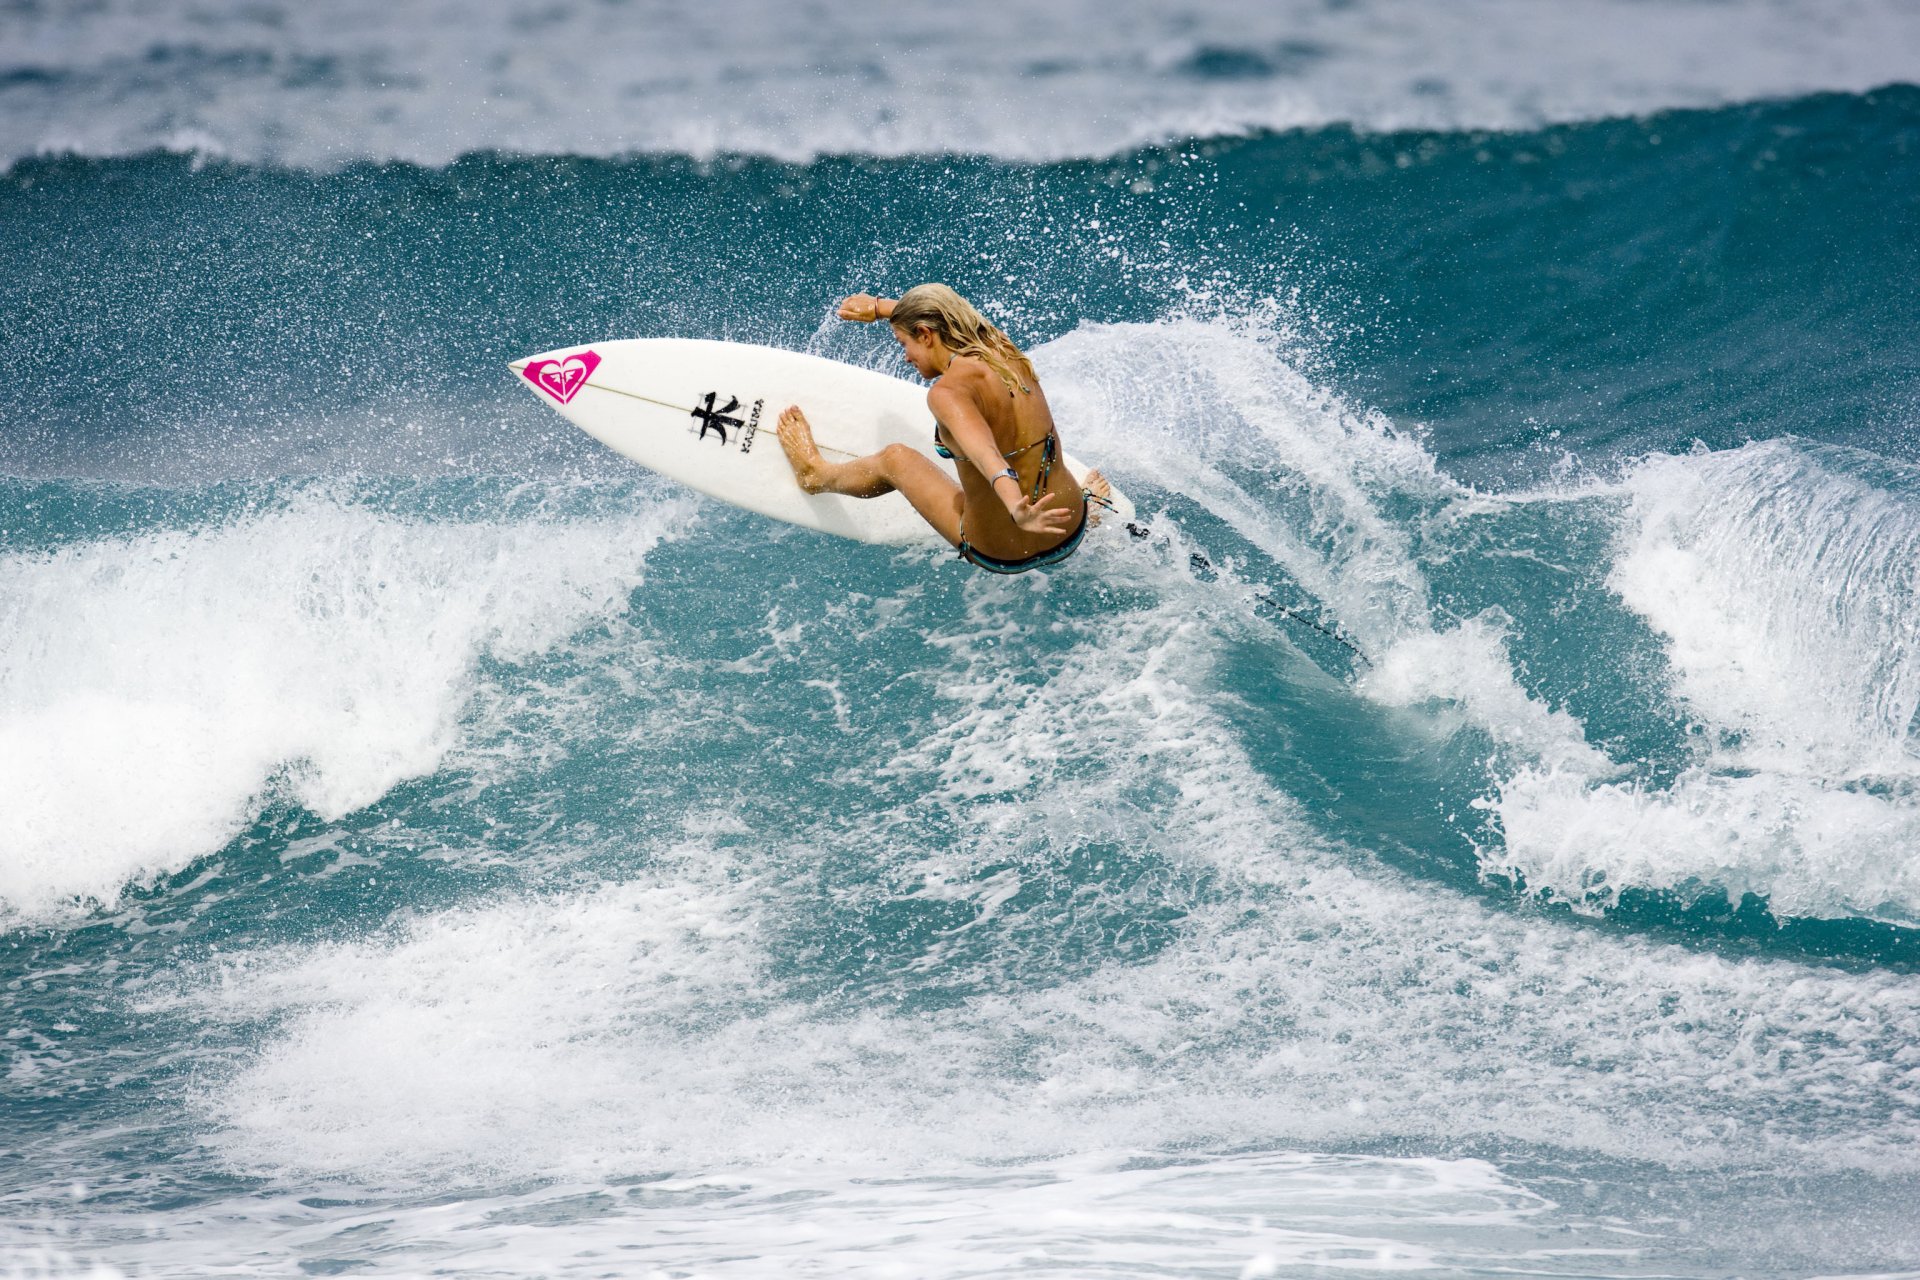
x,y
158,690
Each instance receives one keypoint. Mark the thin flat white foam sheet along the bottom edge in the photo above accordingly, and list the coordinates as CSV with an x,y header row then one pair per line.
x,y
1065,1218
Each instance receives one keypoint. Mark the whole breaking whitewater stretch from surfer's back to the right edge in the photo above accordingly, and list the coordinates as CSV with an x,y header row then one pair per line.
x,y
1771,751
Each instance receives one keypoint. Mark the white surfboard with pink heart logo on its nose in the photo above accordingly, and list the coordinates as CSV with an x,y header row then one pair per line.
x,y
704,414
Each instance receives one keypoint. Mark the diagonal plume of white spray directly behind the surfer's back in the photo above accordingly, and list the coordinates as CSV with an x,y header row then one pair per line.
x,y
1220,412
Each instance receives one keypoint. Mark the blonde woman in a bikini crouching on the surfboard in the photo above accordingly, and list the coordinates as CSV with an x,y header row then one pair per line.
x,y
1017,506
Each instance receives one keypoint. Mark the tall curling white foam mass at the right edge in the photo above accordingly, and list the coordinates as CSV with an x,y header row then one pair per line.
x,y
1790,604
